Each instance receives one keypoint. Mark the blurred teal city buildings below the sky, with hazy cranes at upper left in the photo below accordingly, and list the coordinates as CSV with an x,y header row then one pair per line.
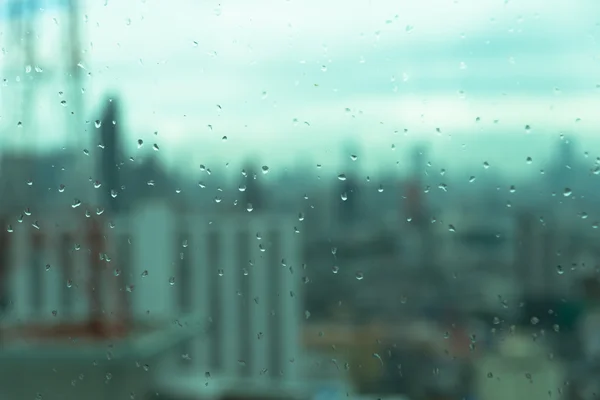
x,y
123,277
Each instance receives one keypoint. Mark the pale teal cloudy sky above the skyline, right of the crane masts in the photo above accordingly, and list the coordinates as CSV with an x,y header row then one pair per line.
x,y
287,79
